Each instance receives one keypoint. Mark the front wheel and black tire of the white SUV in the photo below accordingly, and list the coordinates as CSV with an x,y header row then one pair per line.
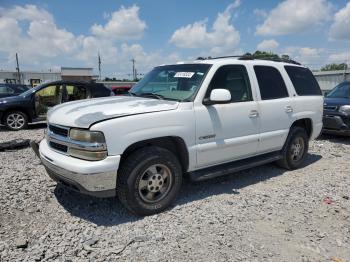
x,y
149,180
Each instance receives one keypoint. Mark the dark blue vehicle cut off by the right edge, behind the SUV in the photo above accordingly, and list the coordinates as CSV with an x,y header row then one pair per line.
x,y
336,119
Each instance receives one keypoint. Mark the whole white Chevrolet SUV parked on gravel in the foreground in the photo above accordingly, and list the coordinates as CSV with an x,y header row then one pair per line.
x,y
203,119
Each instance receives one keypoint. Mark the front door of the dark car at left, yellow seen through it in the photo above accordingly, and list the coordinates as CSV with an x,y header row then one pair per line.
x,y
47,98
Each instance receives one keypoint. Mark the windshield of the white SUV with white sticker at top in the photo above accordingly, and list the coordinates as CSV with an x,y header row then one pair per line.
x,y
173,82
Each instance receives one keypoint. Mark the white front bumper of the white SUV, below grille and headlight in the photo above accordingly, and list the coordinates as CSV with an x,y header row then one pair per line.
x,y
96,178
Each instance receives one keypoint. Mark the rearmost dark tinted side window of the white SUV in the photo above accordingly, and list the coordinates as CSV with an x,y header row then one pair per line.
x,y
303,80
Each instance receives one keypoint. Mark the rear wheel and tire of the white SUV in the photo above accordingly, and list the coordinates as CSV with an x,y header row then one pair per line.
x,y
295,149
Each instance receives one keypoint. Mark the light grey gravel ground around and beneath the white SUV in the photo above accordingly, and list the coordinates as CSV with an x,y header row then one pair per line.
x,y
262,214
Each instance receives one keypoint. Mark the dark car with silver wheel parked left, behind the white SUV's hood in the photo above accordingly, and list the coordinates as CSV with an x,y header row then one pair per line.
x,y
32,105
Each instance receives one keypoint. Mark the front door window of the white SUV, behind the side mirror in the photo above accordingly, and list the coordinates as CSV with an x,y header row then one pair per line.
x,y
235,79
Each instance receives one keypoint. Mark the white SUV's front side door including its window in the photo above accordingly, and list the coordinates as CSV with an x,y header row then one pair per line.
x,y
230,131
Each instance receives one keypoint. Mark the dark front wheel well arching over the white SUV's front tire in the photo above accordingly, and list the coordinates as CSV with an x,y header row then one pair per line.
x,y
174,144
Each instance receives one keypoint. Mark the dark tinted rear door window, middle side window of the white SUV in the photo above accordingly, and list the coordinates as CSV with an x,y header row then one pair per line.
x,y
270,82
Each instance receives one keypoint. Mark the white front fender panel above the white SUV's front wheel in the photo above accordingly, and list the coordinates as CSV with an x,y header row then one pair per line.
x,y
122,132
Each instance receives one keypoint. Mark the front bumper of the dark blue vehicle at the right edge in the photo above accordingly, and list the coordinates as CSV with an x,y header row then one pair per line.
x,y
336,124
